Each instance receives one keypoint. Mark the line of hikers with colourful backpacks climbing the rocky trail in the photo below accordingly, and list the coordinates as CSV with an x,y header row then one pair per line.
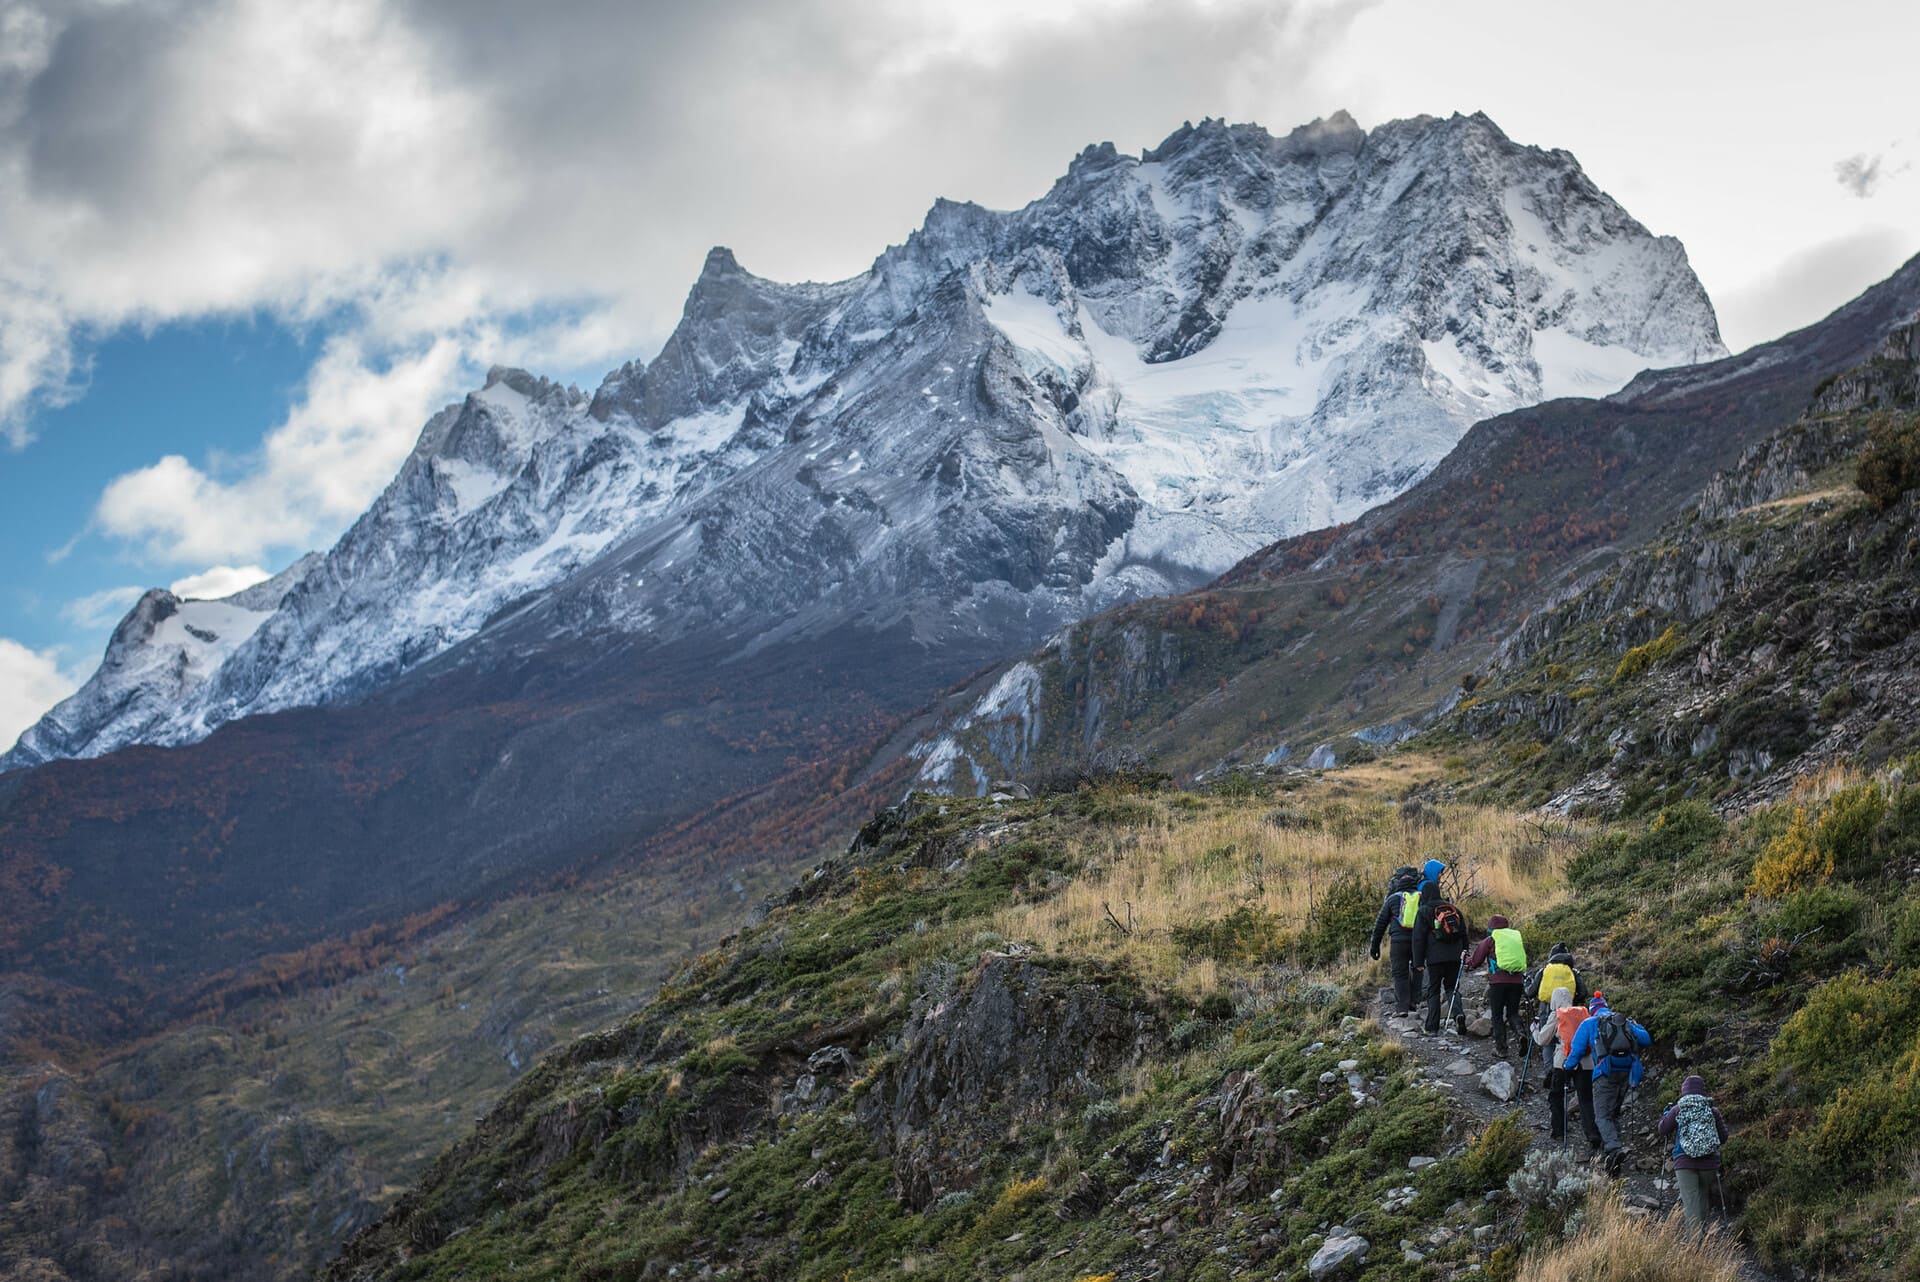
x,y
1589,1049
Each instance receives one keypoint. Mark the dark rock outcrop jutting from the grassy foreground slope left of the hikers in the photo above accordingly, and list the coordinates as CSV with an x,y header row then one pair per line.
x,y
1015,1045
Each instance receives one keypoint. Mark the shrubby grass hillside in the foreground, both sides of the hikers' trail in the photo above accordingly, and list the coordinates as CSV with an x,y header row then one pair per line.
x,y
1107,1035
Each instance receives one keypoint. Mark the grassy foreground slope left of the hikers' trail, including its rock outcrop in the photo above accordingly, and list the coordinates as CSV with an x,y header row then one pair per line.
x,y
1099,1033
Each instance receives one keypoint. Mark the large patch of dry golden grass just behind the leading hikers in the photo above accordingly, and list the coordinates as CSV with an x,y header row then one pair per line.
x,y
1201,865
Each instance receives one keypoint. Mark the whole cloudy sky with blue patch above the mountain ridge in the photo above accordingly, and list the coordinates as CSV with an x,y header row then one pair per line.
x,y
247,247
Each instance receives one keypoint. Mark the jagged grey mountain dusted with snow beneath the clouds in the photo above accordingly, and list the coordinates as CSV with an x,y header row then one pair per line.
x,y
1011,421
